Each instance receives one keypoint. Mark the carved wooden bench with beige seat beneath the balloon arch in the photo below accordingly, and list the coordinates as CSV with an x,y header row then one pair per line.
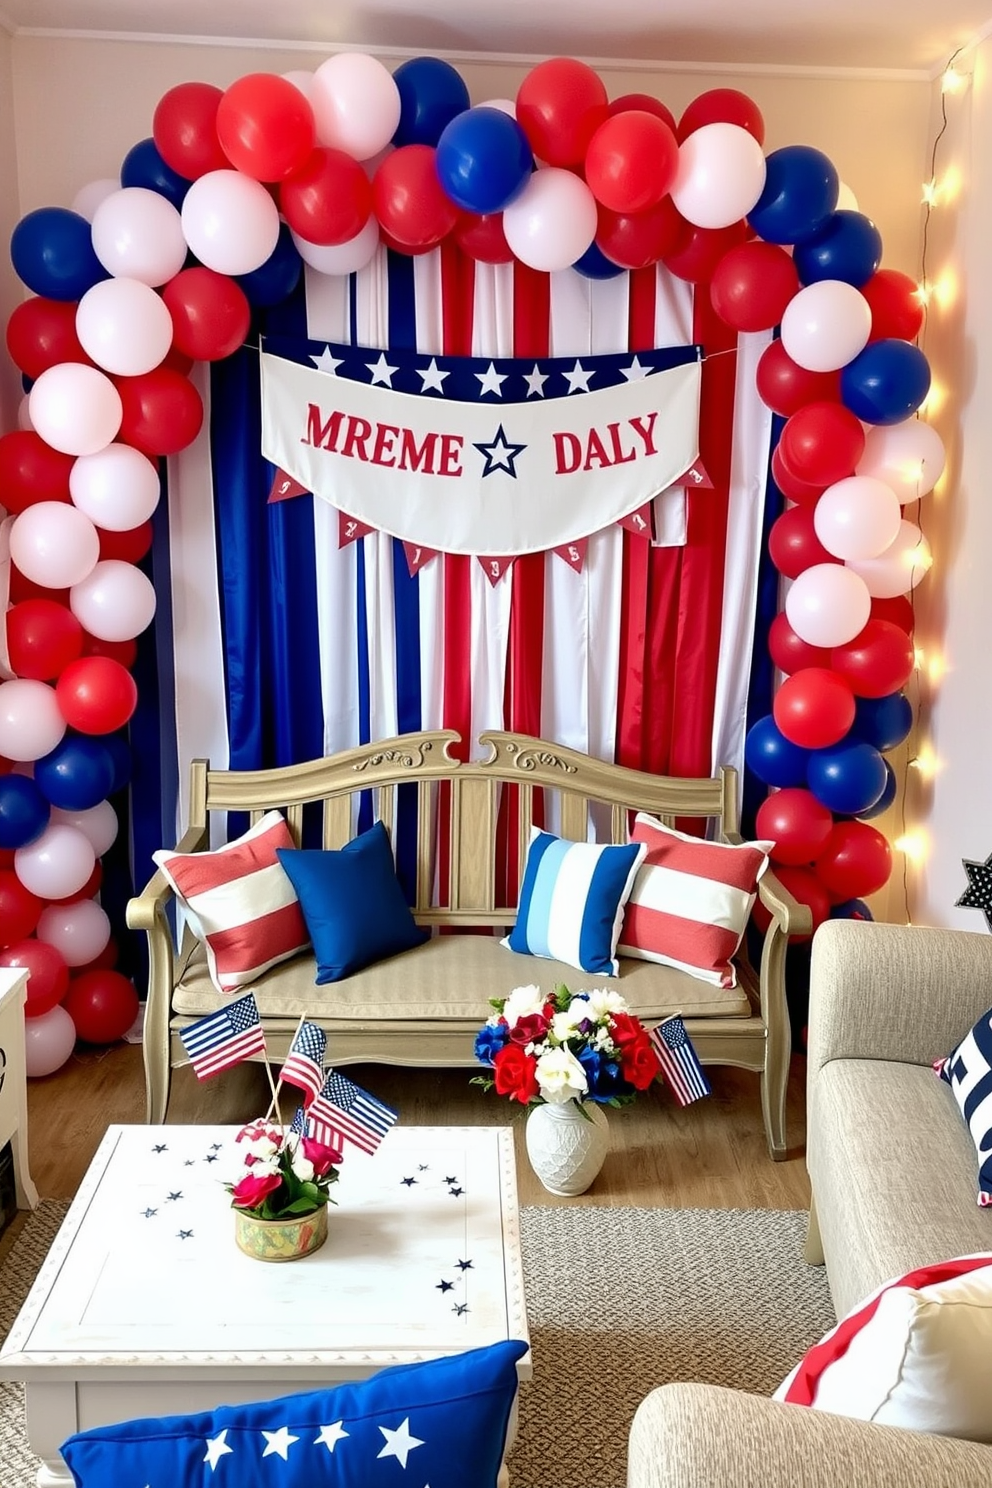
x,y
425,1008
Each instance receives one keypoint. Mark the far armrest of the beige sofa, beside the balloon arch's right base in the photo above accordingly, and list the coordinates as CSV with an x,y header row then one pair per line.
x,y
904,993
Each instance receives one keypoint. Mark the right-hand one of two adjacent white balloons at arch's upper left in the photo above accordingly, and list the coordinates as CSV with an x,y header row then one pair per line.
x,y
231,222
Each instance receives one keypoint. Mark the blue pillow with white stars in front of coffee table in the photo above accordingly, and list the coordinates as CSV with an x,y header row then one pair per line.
x,y
441,1423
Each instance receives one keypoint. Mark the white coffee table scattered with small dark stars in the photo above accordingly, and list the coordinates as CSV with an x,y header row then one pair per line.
x,y
146,1307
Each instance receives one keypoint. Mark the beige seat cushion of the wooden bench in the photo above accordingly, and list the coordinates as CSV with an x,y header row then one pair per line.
x,y
451,978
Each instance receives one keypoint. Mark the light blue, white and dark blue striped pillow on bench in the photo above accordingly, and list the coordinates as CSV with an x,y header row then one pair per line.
x,y
572,901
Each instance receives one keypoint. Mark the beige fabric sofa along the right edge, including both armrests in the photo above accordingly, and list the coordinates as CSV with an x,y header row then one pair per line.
x,y
893,1172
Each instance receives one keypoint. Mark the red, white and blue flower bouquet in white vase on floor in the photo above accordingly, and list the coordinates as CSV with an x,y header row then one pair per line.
x,y
566,1056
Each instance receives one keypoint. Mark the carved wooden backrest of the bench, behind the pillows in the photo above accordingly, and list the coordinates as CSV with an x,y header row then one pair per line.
x,y
468,815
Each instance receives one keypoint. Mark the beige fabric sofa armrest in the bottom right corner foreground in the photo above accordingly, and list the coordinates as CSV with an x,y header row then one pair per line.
x,y
703,1437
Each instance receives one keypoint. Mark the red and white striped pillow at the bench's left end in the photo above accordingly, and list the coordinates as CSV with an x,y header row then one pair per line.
x,y
242,902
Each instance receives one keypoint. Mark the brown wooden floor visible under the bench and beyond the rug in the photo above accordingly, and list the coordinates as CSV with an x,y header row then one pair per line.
x,y
710,1155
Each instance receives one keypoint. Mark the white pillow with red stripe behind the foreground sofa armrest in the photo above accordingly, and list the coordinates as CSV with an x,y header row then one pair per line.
x,y
914,1355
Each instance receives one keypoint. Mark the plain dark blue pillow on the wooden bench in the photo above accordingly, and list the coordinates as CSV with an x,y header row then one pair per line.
x,y
353,904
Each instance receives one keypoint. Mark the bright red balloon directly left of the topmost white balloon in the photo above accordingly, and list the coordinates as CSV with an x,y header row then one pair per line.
x,y
265,127
